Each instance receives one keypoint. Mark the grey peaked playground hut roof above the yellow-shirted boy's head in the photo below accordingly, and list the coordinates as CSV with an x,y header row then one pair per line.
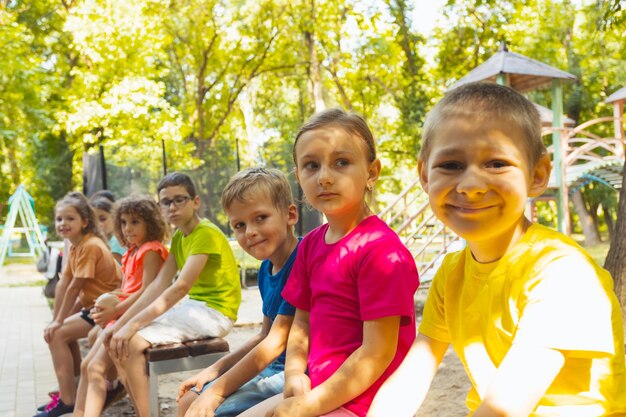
x,y
523,73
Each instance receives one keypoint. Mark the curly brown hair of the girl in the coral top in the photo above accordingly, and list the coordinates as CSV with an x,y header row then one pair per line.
x,y
145,208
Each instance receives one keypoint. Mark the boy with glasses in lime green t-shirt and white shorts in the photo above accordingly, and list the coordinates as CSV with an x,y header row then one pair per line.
x,y
202,302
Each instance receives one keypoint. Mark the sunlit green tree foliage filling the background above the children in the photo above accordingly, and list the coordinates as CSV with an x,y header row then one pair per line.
x,y
214,80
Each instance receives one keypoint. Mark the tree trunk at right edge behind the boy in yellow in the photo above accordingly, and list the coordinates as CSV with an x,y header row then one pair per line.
x,y
616,258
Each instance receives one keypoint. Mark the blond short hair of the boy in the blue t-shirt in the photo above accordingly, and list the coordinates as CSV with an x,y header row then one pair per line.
x,y
258,181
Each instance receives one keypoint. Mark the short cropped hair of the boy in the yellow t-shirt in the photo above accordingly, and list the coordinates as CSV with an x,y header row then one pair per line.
x,y
483,100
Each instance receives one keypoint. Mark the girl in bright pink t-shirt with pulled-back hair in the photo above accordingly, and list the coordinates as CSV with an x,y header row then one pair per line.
x,y
352,282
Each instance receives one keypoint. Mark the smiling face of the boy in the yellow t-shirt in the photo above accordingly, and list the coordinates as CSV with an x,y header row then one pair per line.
x,y
478,180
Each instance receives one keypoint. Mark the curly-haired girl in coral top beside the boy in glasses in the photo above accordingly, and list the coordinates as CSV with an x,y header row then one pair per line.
x,y
139,225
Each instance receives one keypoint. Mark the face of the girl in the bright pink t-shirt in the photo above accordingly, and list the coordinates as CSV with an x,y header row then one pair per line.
x,y
334,172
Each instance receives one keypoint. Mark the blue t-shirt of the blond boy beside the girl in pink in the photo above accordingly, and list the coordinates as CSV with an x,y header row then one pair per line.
x,y
271,287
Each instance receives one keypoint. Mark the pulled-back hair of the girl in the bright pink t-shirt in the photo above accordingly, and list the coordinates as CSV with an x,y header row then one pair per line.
x,y
350,122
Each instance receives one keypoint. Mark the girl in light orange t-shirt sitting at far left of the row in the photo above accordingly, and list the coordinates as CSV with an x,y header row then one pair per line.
x,y
90,271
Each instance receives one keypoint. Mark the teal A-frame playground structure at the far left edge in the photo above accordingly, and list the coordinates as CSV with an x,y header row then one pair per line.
x,y
21,206
